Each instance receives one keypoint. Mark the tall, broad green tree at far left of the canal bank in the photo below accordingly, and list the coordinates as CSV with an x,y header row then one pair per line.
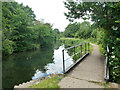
x,y
16,23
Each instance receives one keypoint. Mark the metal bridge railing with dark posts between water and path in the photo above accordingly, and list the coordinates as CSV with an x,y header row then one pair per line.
x,y
83,52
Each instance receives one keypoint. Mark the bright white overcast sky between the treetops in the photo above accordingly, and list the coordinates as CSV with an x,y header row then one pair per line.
x,y
50,11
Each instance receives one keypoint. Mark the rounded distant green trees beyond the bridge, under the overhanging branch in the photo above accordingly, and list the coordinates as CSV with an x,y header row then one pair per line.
x,y
78,30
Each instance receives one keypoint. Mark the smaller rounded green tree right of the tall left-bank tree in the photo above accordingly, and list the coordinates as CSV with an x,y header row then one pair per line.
x,y
43,34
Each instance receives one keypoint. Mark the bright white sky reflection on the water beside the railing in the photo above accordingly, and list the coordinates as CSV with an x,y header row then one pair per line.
x,y
57,65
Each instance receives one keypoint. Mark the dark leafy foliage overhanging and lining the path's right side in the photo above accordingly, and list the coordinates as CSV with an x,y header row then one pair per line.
x,y
106,16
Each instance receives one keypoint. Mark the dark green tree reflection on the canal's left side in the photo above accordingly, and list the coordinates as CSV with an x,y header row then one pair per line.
x,y
21,67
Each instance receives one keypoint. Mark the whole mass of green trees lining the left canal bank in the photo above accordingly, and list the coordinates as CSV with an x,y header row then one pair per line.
x,y
20,30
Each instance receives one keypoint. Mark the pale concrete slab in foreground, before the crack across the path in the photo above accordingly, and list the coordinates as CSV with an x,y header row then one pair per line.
x,y
69,82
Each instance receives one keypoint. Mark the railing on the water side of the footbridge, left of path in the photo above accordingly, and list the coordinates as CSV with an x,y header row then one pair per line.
x,y
75,53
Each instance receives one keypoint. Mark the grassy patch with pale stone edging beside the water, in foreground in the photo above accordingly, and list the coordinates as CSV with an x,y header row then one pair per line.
x,y
50,81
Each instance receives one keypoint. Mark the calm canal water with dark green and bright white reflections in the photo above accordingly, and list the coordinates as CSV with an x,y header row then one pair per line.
x,y
26,66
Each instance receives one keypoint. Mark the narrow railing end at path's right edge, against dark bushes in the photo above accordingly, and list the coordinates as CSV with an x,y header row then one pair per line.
x,y
106,72
